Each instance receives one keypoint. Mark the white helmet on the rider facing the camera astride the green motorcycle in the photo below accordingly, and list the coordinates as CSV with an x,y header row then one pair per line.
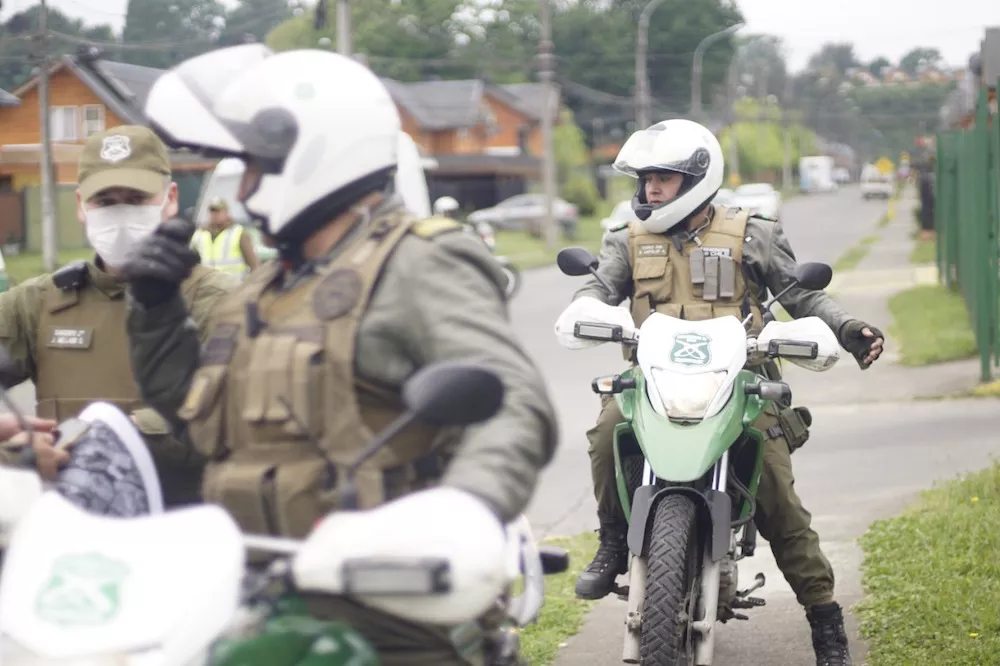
x,y
679,146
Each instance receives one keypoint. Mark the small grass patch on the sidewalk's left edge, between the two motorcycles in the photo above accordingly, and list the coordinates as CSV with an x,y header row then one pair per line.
x,y
563,614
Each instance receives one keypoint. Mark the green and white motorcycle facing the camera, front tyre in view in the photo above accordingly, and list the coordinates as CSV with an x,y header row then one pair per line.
x,y
687,457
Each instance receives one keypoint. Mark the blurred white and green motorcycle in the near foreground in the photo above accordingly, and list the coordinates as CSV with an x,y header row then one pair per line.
x,y
175,588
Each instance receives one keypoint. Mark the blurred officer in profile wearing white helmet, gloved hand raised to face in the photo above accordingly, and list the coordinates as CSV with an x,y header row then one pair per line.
x,y
307,358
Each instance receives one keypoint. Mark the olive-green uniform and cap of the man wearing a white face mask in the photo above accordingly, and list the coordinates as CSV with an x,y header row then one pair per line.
x,y
66,331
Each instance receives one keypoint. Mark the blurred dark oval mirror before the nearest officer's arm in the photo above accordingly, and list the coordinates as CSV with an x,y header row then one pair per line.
x,y
452,394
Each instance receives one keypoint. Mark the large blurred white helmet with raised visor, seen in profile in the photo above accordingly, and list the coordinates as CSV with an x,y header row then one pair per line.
x,y
317,130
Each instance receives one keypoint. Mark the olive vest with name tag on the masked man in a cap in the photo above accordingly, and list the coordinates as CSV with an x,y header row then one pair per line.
x,y
82,347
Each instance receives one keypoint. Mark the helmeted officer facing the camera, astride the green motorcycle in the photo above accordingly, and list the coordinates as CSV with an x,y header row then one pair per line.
x,y
659,263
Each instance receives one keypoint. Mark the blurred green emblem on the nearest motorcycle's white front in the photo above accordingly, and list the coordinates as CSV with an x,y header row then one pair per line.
x,y
83,590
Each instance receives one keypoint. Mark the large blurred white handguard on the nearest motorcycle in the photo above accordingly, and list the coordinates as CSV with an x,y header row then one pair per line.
x,y
444,523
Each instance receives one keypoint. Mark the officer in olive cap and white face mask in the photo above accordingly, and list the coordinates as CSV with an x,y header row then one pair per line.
x,y
66,331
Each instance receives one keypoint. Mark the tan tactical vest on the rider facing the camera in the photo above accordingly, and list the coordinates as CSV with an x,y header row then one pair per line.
x,y
700,280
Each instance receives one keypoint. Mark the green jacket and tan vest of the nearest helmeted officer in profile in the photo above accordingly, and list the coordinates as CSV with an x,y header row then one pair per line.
x,y
273,403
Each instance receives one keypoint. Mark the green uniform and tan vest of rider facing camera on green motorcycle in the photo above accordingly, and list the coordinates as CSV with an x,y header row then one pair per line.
x,y
728,270
